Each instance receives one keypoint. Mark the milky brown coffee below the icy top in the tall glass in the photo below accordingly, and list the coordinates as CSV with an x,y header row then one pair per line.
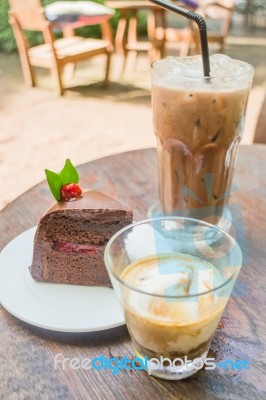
x,y
198,133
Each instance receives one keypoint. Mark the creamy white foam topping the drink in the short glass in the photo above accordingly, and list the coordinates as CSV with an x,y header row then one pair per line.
x,y
179,275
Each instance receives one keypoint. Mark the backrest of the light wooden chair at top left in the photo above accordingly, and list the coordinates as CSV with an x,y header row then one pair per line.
x,y
29,14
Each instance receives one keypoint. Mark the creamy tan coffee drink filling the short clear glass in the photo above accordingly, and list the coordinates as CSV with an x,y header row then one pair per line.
x,y
178,328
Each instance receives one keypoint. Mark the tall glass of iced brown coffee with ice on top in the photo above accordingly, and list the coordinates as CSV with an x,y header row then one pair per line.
x,y
199,124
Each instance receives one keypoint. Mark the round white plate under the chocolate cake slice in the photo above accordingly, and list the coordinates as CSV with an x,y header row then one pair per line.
x,y
58,307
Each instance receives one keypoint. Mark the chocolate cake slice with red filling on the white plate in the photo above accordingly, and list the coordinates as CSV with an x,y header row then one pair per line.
x,y
71,237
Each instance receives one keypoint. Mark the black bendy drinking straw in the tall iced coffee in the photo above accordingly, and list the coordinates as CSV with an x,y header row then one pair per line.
x,y
202,28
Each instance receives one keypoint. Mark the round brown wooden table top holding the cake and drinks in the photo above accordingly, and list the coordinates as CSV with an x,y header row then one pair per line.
x,y
27,353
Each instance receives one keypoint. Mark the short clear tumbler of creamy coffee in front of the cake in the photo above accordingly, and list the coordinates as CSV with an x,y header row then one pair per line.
x,y
173,277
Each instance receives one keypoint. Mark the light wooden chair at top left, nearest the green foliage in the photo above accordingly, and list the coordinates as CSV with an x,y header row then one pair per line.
x,y
53,54
